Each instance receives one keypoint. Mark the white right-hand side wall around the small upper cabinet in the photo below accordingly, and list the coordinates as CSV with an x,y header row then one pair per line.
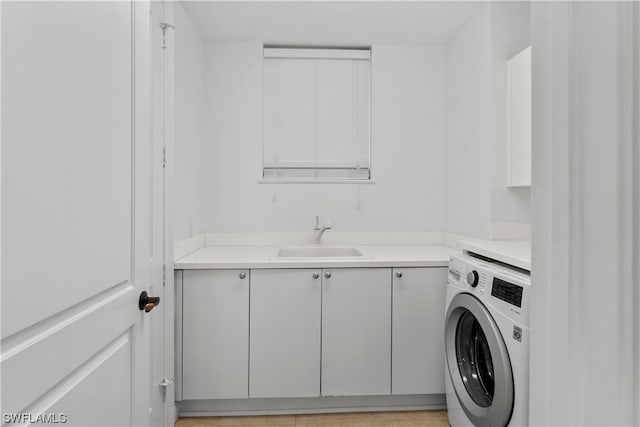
x,y
477,196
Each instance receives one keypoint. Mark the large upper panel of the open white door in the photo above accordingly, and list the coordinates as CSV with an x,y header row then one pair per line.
x,y
66,160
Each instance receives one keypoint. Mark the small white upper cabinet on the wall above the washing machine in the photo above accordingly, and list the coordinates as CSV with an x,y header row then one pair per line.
x,y
519,120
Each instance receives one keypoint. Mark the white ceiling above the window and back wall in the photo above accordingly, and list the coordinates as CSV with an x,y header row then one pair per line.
x,y
330,23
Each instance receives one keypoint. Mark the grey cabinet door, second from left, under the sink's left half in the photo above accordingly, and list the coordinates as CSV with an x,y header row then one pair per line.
x,y
285,333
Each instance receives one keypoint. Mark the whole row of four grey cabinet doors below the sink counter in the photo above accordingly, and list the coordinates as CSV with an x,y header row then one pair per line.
x,y
287,333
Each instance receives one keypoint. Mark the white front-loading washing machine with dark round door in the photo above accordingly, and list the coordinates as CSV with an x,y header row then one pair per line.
x,y
487,343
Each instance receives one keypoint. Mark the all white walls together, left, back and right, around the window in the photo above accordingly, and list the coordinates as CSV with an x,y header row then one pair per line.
x,y
423,182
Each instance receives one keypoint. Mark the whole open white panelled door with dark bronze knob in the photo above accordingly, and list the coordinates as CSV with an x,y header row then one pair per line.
x,y
75,212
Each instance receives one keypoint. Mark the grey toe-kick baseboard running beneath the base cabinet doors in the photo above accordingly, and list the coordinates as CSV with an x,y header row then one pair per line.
x,y
310,405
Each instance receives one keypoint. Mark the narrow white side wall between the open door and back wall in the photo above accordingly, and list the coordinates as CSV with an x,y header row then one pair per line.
x,y
189,128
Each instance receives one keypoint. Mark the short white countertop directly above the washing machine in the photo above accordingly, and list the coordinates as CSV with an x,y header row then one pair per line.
x,y
512,252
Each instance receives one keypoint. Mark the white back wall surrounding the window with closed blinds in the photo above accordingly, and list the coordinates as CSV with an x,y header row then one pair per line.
x,y
407,149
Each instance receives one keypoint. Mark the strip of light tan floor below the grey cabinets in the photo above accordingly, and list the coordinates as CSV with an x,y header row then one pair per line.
x,y
360,419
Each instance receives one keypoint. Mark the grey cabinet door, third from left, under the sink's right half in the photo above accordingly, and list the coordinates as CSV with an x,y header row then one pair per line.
x,y
356,331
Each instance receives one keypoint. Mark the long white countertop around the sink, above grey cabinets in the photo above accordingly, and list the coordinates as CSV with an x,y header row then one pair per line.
x,y
221,257
